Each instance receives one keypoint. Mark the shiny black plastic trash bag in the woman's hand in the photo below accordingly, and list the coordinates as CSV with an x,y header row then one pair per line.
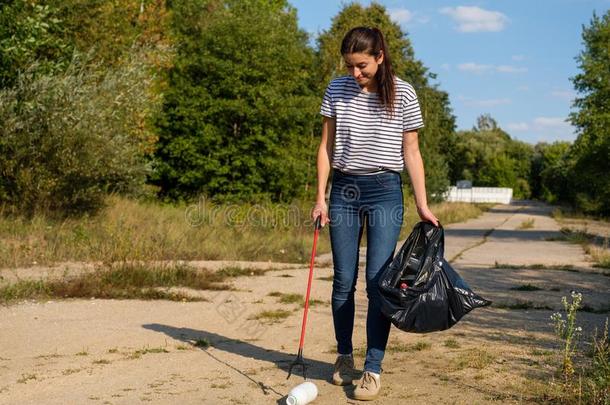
x,y
420,291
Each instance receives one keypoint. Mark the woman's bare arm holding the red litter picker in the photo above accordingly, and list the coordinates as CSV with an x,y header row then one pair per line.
x,y
324,160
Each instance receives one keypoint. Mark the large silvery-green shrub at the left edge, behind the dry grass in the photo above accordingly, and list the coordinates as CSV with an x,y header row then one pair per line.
x,y
67,139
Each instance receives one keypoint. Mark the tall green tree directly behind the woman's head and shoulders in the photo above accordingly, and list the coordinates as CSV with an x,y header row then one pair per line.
x,y
436,138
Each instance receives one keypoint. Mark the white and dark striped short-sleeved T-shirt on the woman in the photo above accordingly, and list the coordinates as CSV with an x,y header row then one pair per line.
x,y
367,139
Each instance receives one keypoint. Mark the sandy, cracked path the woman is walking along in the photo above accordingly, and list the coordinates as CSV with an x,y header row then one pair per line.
x,y
125,352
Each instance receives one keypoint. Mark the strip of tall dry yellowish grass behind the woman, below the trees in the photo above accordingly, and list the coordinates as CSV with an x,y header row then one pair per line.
x,y
132,230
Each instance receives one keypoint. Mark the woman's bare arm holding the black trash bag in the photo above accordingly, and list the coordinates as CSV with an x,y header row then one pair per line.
x,y
415,167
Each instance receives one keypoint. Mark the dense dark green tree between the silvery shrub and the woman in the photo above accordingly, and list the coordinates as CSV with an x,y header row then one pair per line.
x,y
237,115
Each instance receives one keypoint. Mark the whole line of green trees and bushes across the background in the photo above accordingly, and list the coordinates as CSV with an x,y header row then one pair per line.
x,y
170,100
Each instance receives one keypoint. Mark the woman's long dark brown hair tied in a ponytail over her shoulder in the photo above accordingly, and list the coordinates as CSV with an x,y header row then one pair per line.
x,y
370,40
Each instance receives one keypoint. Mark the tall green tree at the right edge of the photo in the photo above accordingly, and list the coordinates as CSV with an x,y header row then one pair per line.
x,y
589,180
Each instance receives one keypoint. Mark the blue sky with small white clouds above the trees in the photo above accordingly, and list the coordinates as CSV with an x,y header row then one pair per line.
x,y
512,59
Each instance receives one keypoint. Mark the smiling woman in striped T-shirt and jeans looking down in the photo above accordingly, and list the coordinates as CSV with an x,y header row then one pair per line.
x,y
369,135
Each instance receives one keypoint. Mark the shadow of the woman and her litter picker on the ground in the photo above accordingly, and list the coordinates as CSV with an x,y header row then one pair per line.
x,y
316,370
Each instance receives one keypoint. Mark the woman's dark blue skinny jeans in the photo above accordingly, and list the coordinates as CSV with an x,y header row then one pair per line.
x,y
355,200
